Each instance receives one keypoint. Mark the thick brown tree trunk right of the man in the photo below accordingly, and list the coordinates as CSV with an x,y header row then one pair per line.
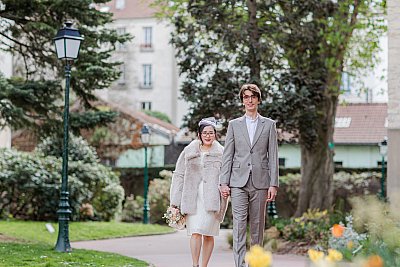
x,y
317,168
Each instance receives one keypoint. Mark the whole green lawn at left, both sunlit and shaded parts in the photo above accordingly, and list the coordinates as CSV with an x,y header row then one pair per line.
x,y
30,244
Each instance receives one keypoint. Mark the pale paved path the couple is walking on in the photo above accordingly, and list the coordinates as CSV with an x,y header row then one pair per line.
x,y
172,250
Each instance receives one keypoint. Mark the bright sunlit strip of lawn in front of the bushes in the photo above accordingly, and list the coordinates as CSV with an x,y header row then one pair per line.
x,y
37,232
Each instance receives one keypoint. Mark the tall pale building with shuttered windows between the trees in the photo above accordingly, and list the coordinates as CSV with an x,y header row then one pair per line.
x,y
149,74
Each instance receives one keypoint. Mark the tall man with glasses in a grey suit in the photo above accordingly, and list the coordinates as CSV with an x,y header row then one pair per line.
x,y
249,171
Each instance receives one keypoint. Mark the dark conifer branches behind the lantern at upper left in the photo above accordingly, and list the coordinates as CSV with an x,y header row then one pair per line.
x,y
28,31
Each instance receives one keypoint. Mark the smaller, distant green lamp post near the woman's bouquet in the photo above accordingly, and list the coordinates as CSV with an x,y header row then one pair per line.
x,y
145,138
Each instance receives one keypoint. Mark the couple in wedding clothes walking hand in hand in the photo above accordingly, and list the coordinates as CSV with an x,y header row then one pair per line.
x,y
246,169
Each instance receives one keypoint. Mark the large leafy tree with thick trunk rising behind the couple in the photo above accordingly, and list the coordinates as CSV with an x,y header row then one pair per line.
x,y
295,51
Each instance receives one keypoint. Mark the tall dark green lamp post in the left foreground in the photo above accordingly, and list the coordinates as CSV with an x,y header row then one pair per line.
x,y
67,42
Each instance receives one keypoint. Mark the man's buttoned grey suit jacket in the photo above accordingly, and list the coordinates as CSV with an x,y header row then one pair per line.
x,y
240,157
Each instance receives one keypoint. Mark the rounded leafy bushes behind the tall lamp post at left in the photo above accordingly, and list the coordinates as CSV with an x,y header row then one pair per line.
x,y
30,183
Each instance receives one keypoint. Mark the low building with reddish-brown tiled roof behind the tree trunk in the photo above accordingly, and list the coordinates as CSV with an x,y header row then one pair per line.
x,y
359,129
